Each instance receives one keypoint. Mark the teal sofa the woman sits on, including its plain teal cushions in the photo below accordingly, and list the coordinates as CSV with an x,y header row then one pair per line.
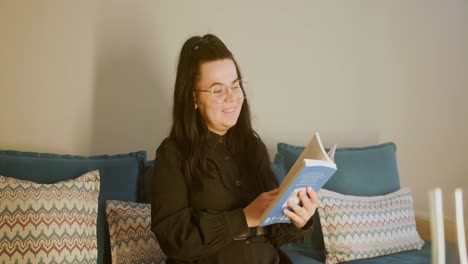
x,y
361,171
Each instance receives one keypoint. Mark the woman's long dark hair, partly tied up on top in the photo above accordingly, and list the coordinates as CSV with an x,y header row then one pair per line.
x,y
188,128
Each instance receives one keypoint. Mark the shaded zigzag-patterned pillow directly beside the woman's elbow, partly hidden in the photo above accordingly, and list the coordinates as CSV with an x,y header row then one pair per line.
x,y
132,240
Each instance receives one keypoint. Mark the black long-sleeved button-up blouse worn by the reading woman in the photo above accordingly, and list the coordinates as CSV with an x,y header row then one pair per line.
x,y
204,222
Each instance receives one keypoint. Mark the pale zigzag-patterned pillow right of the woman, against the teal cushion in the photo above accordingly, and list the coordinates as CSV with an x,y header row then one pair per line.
x,y
358,227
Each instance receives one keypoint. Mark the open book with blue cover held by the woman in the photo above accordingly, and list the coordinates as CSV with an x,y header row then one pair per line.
x,y
314,167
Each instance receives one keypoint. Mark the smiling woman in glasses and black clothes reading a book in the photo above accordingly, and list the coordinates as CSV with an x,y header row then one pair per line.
x,y
212,177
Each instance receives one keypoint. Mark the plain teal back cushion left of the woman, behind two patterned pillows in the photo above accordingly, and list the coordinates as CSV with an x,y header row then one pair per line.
x,y
119,178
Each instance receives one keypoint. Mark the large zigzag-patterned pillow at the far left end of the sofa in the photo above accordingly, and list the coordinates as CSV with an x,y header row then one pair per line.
x,y
49,223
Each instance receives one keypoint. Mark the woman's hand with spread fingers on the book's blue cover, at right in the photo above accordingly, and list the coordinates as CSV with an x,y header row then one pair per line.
x,y
301,215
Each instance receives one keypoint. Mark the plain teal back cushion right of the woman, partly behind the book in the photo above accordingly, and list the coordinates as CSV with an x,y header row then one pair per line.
x,y
366,171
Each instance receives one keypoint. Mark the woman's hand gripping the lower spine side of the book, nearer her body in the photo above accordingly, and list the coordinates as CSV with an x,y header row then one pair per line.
x,y
255,209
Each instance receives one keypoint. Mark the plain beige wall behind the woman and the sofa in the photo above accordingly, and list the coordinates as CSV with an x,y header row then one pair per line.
x,y
94,77
